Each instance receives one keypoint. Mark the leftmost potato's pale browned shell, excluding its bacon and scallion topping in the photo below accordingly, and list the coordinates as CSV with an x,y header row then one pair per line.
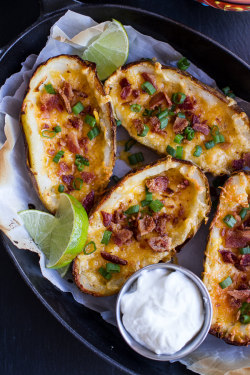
x,y
72,66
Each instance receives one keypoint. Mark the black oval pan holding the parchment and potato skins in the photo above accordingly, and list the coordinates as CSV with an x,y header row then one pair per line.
x,y
86,325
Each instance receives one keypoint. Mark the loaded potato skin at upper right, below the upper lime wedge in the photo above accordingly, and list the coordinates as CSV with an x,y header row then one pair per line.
x,y
173,113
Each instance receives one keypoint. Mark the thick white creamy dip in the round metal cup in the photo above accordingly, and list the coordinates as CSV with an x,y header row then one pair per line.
x,y
164,312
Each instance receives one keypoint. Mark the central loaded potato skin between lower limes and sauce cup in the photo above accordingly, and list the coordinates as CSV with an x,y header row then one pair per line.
x,y
143,220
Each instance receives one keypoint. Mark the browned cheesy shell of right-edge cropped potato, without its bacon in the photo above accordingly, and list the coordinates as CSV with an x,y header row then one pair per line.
x,y
225,323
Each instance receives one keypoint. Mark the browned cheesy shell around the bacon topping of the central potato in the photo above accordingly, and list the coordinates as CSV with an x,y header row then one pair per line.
x,y
85,267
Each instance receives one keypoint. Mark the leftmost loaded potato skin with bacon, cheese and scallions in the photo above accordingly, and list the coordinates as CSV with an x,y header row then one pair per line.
x,y
69,130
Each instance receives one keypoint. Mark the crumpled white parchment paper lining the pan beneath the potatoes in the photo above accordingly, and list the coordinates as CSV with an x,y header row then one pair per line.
x,y
68,35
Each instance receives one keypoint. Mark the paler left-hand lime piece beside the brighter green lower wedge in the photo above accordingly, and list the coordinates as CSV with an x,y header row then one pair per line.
x,y
39,225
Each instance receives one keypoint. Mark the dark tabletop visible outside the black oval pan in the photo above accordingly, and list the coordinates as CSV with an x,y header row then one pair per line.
x,y
32,342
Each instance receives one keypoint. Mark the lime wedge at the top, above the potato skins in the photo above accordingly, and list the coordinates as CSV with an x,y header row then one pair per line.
x,y
109,50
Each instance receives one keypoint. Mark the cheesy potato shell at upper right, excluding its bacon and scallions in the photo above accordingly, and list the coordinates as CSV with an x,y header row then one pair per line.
x,y
213,106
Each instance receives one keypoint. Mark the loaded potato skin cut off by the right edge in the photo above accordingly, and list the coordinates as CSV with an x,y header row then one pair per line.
x,y
227,262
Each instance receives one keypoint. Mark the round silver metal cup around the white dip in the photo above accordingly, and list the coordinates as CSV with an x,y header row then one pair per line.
x,y
194,342
